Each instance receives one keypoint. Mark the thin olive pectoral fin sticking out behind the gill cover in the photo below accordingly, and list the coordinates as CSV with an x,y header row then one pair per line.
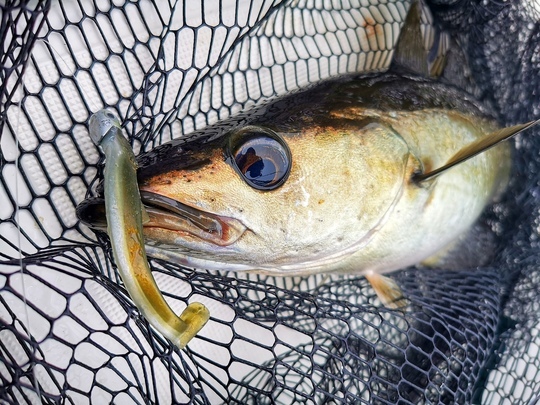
x,y
475,148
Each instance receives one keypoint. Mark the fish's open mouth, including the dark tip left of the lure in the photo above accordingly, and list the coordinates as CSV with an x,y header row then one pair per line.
x,y
177,219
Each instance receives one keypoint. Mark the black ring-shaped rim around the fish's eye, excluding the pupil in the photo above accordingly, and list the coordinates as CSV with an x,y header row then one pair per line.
x,y
243,135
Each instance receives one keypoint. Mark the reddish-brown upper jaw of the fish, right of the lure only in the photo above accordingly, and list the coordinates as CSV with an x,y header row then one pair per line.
x,y
173,215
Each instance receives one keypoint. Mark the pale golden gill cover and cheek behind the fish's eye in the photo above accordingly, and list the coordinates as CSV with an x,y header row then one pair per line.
x,y
341,186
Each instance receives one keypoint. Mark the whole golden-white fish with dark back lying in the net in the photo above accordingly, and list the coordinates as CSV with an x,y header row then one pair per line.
x,y
363,175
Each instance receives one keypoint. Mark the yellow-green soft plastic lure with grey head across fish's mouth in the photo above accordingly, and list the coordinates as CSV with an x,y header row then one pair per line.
x,y
124,212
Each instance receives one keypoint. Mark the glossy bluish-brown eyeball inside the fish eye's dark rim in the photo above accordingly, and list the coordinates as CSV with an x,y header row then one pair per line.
x,y
263,161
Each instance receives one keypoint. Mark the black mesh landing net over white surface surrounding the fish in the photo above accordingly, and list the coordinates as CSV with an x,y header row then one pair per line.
x,y
68,331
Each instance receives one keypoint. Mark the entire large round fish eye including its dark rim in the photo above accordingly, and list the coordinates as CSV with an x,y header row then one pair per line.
x,y
261,157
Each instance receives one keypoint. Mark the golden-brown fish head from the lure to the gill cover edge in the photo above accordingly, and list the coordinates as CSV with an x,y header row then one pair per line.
x,y
280,199
